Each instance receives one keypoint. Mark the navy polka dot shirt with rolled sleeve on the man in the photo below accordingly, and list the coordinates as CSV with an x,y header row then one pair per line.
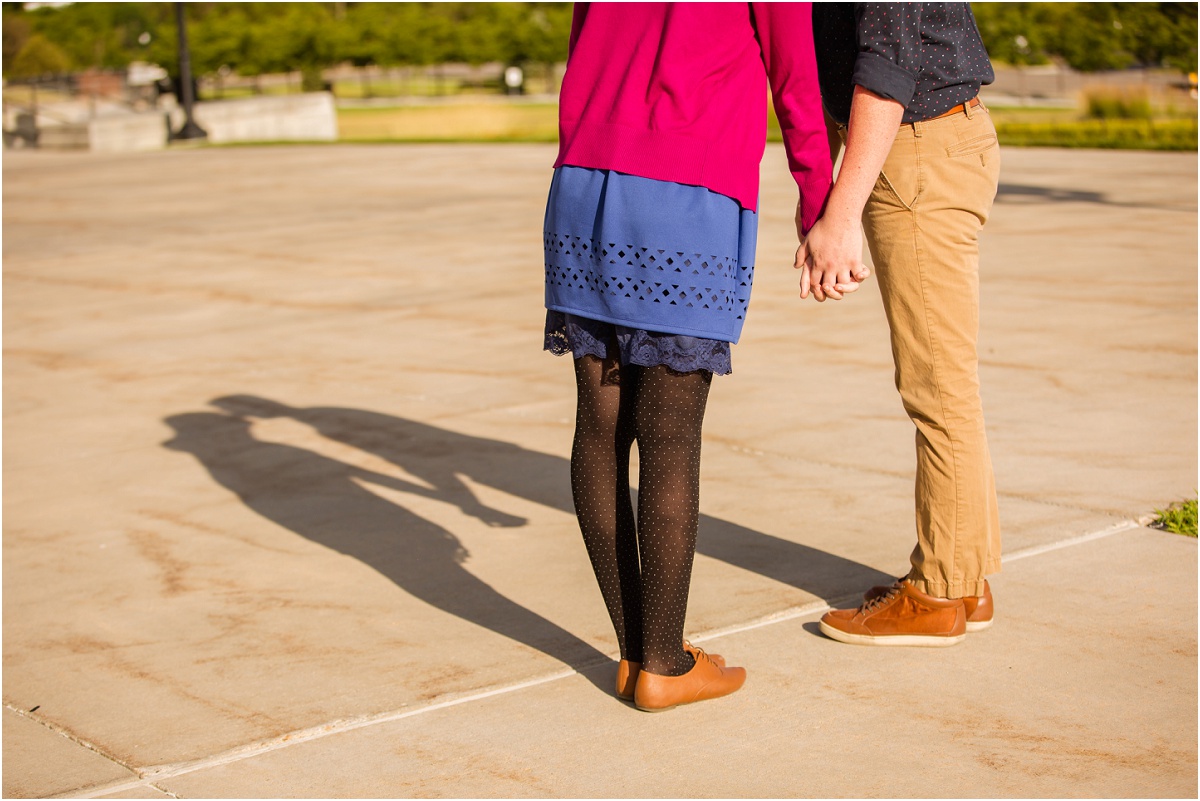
x,y
926,56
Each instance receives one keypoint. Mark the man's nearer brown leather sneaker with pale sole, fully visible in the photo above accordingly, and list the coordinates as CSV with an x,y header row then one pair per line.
x,y
903,616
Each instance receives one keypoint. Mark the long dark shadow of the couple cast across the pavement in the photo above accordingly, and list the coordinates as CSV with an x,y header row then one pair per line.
x,y
322,499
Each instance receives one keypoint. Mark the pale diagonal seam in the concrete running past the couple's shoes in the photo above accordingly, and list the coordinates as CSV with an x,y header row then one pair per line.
x,y
151,776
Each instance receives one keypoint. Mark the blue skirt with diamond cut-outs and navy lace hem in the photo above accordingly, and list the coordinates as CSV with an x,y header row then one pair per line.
x,y
647,256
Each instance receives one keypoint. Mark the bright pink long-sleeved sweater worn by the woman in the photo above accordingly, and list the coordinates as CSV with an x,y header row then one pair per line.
x,y
677,92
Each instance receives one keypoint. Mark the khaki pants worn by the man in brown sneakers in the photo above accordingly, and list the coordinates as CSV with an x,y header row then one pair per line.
x,y
922,226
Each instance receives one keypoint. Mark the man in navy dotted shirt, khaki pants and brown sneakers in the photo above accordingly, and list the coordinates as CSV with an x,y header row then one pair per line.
x,y
921,172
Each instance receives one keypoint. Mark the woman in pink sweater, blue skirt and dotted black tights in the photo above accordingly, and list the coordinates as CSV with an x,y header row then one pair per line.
x,y
650,242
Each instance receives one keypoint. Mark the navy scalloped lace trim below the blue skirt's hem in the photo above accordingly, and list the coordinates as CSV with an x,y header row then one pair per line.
x,y
579,336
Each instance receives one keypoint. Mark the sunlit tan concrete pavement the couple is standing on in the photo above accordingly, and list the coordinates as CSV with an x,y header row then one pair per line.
x,y
287,508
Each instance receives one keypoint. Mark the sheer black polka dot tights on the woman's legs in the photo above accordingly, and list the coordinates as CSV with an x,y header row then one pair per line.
x,y
644,564
